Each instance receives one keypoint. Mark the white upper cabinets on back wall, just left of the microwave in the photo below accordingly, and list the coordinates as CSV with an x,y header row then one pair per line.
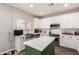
x,y
41,23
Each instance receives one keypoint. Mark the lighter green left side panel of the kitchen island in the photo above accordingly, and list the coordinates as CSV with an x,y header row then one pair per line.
x,y
31,51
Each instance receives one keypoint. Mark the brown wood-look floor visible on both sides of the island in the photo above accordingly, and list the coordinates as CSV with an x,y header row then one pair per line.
x,y
59,51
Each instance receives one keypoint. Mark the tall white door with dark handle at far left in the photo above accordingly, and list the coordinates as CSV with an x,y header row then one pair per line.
x,y
5,27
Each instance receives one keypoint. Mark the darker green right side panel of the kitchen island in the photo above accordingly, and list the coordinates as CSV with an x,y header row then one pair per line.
x,y
49,50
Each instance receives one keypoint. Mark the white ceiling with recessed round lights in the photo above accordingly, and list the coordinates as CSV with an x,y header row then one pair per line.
x,y
43,9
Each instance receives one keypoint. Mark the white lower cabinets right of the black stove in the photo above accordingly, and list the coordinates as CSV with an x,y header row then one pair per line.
x,y
69,41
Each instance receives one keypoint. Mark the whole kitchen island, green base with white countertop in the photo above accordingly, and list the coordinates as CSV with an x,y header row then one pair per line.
x,y
40,46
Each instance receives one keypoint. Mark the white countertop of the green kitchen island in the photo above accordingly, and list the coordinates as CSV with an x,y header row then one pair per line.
x,y
39,43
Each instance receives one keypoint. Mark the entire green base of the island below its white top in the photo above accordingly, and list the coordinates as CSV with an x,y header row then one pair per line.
x,y
49,50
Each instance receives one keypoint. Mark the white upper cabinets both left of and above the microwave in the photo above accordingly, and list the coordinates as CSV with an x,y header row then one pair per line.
x,y
45,22
